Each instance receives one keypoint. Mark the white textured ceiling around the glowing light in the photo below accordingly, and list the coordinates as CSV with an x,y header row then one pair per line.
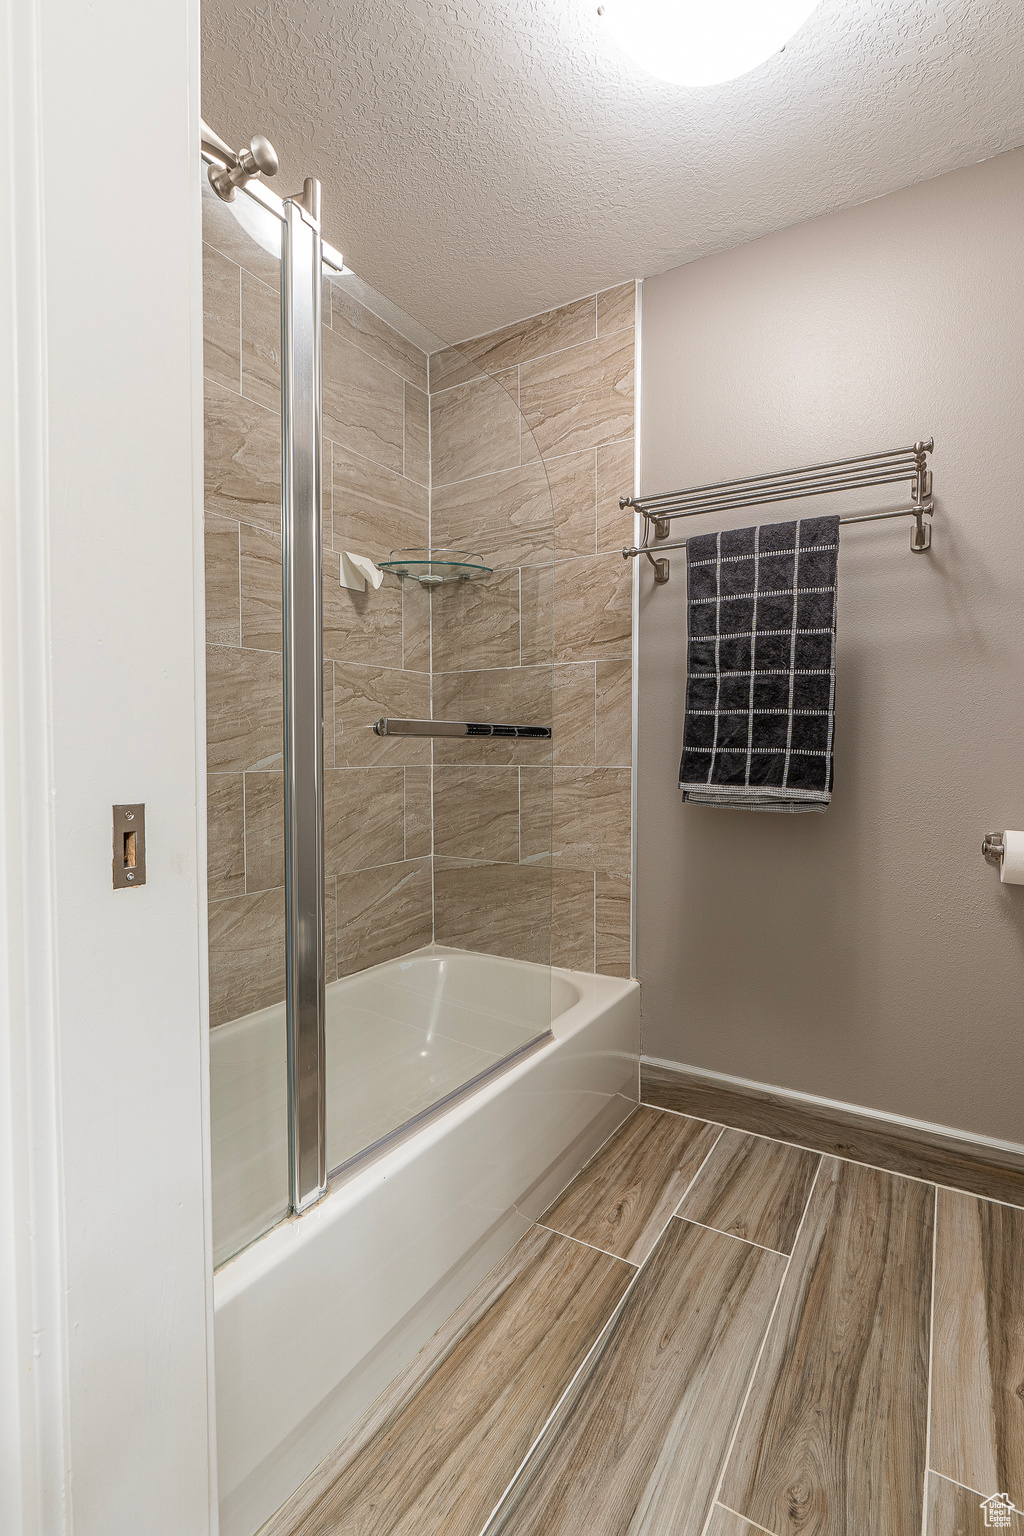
x,y
483,162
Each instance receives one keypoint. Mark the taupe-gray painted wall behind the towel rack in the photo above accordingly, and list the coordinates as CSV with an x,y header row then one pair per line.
x,y
867,955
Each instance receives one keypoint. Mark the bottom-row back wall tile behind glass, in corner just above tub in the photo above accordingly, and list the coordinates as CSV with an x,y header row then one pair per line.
x,y
503,910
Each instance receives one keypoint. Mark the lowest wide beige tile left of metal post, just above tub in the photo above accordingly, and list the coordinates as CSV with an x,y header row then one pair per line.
x,y
246,955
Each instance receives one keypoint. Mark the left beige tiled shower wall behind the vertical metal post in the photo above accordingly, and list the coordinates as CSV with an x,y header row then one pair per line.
x,y
377,646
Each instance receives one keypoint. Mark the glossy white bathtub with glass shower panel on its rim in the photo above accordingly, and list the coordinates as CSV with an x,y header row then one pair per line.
x,y
322,1313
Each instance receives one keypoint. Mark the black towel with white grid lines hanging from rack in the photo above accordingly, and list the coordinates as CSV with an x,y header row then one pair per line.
x,y
761,667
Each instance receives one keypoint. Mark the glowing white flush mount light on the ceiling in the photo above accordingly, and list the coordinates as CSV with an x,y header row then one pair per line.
x,y
702,42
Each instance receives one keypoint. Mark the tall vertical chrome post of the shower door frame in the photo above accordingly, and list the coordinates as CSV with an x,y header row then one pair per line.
x,y
303,654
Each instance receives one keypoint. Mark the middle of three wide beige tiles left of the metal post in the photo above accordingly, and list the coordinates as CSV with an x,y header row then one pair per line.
x,y
243,710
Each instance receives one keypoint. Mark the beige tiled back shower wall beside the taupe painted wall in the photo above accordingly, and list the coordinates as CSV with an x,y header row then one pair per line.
x,y
561,591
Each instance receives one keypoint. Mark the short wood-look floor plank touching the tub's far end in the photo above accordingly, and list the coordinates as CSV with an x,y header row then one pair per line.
x,y
626,1196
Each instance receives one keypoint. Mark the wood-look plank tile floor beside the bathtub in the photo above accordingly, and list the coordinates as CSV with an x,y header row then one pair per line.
x,y
712,1334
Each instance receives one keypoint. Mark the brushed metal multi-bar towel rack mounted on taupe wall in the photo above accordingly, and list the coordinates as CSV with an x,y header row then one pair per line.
x,y
816,480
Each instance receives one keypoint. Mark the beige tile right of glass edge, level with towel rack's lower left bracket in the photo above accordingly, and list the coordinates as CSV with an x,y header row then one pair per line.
x,y
593,609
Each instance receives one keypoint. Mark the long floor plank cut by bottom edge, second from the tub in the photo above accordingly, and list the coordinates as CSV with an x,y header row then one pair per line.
x,y
642,1435
